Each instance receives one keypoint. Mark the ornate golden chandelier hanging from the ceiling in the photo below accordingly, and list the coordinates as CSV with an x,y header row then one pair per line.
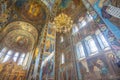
x,y
62,23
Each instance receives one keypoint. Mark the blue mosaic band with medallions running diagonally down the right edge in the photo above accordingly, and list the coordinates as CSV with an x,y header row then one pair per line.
x,y
110,31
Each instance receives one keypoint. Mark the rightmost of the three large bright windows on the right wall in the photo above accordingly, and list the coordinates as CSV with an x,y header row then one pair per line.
x,y
103,43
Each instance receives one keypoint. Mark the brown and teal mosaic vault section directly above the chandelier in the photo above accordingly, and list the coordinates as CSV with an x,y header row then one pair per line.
x,y
73,8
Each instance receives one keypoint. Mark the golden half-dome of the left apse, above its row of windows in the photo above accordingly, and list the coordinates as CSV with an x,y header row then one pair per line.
x,y
19,41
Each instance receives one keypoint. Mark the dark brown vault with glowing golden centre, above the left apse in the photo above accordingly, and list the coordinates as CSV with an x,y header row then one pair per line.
x,y
33,12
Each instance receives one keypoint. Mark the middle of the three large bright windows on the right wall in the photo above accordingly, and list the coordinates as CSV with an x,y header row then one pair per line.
x,y
91,45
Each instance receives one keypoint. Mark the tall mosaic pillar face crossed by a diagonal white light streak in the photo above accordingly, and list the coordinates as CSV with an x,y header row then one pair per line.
x,y
47,70
